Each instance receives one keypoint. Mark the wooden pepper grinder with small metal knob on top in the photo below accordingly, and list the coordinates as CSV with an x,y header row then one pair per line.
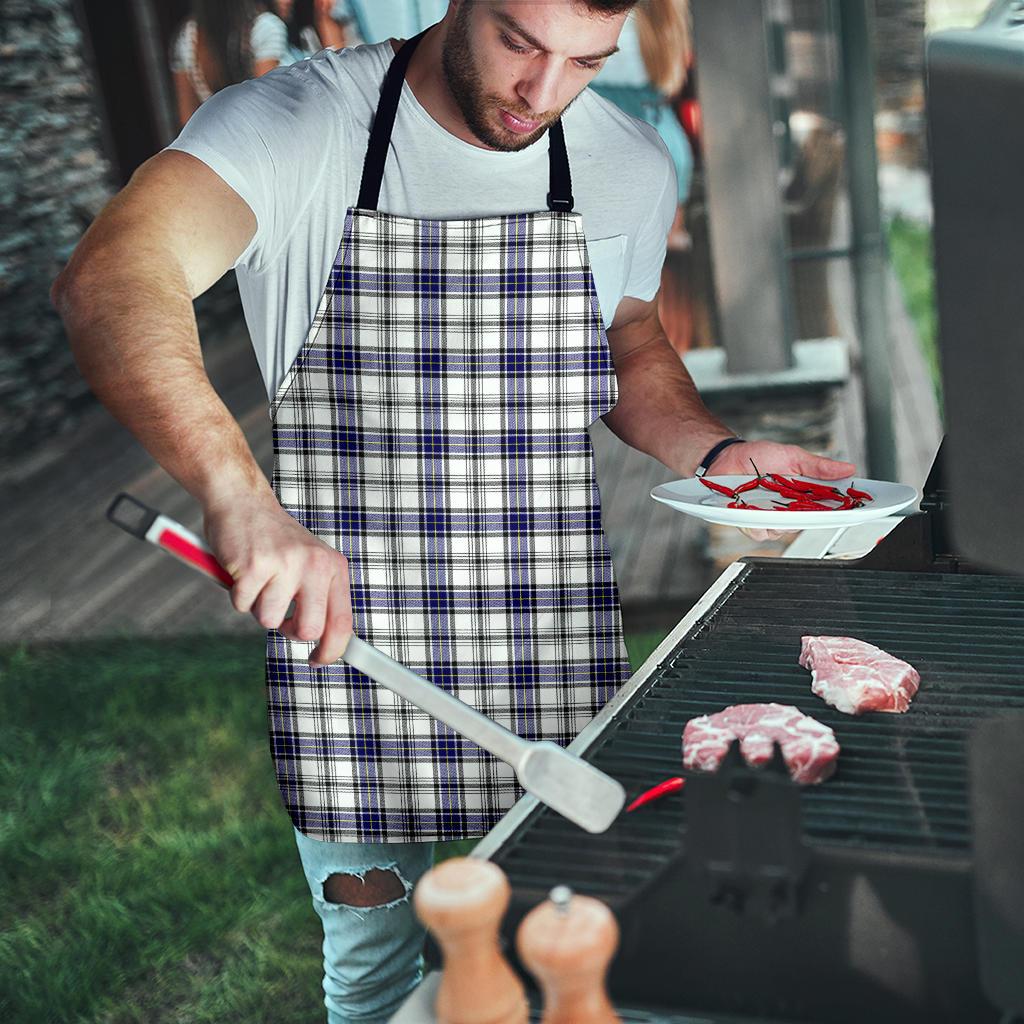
x,y
568,944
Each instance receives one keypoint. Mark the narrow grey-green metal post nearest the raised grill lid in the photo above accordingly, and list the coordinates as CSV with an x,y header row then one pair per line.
x,y
868,241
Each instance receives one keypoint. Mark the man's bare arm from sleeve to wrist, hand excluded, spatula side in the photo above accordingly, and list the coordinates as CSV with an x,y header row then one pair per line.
x,y
126,298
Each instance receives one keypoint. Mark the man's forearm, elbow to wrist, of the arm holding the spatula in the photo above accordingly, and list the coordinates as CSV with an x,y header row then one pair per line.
x,y
135,337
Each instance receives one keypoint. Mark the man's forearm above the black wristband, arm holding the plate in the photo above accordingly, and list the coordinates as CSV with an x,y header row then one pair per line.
x,y
660,411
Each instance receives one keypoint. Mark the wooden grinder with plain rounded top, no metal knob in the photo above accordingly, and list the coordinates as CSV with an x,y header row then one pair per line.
x,y
462,902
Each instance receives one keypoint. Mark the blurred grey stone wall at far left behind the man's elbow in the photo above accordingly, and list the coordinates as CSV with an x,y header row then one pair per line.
x,y
54,181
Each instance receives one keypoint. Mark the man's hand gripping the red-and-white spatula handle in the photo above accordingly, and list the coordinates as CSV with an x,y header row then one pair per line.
x,y
275,561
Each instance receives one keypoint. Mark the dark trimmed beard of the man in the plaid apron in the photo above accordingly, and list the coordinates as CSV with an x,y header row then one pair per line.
x,y
465,84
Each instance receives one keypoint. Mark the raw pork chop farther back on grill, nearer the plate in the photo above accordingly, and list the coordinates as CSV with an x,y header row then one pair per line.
x,y
856,677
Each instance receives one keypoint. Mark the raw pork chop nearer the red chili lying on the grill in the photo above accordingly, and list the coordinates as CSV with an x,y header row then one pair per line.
x,y
809,748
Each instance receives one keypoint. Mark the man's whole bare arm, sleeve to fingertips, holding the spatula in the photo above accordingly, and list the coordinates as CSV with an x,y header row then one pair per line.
x,y
126,298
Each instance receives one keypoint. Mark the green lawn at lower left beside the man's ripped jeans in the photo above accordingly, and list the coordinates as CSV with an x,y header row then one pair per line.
x,y
149,870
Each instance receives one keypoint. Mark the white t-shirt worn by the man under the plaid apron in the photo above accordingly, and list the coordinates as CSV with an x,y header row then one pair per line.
x,y
292,145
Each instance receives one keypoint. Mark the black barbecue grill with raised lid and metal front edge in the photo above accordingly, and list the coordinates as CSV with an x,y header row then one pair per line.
x,y
893,891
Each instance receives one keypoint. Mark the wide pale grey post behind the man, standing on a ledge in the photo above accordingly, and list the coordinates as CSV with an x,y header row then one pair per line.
x,y
745,205
